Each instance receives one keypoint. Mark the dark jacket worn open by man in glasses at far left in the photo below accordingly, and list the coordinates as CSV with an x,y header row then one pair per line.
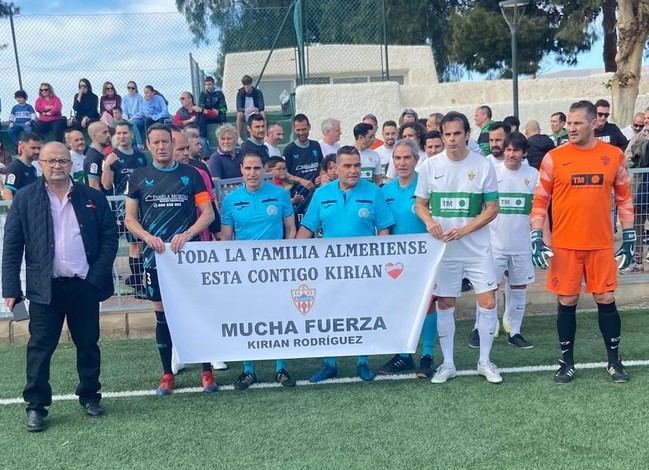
x,y
29,229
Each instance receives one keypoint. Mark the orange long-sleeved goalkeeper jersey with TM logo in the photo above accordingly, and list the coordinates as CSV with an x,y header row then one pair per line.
x,y
580,183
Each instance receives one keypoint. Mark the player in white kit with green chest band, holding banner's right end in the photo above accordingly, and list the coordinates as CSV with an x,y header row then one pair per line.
x,y
457,196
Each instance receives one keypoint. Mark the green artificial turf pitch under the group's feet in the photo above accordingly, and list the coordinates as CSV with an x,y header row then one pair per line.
x,y
525,422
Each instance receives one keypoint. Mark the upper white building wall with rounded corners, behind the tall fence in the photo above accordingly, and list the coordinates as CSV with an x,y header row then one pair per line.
x,y
414,63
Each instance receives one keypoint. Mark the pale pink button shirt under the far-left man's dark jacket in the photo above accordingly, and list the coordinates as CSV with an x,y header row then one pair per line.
x,y
69,253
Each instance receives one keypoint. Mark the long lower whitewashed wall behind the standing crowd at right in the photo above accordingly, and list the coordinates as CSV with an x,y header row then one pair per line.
x,y
538,99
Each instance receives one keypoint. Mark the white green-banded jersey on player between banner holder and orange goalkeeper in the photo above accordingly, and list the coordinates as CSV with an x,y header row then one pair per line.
x,y
510,230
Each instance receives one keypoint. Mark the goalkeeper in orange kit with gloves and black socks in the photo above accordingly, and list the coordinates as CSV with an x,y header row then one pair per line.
x,y
579,178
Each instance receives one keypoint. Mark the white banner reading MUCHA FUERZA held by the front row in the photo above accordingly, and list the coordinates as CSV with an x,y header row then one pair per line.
x,y
283,299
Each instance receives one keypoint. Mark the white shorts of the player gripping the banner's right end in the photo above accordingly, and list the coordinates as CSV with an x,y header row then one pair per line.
x,y
480,272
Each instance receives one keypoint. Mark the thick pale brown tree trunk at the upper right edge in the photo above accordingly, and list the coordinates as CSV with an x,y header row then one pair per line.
x,y
633,31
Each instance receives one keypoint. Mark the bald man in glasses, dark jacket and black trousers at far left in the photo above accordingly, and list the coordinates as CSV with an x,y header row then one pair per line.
x,y
69,271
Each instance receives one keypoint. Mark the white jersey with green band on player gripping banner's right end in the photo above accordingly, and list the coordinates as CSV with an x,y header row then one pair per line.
x,y
457,191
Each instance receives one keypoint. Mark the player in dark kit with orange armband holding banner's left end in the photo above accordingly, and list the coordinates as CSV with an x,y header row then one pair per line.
x,y
161,204
